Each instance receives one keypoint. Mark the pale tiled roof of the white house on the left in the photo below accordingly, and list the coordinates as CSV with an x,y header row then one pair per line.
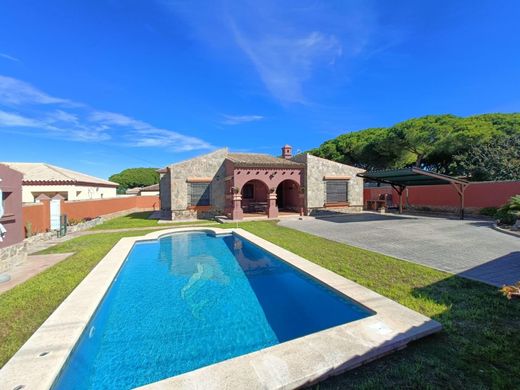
x,y
51,174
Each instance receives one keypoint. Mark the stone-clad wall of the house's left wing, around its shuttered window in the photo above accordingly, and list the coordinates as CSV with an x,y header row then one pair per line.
x,y
207,166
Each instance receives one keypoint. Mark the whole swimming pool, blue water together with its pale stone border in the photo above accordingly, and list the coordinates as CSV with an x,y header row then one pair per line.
x,y
70,342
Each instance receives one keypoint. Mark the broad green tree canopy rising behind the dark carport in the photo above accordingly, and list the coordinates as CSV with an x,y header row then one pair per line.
x,y
441,143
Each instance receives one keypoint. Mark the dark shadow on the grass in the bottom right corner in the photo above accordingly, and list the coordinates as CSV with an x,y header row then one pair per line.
x,y
477,348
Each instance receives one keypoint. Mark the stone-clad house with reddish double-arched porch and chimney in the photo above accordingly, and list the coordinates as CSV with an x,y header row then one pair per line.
x,y
249,184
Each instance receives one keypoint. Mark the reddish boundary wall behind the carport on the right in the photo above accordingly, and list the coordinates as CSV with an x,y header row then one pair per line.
x,y
477,195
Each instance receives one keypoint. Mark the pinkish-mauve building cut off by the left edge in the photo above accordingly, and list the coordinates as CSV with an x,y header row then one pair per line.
x,y
11,229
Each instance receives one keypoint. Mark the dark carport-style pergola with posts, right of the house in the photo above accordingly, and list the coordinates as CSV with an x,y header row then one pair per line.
x,y
399,179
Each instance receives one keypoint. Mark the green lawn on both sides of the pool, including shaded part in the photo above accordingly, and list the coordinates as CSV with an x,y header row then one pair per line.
x,y
478,347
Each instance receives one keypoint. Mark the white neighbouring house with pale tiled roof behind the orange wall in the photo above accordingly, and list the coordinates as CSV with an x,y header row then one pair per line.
x,y
50,180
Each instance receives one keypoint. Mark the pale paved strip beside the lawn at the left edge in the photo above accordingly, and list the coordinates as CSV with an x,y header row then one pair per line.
x,y
32,267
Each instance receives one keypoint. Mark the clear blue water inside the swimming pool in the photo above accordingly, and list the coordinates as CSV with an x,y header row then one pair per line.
x,y
192,299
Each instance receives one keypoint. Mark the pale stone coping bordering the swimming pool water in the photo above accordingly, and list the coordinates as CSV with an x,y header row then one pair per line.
x,y
288,365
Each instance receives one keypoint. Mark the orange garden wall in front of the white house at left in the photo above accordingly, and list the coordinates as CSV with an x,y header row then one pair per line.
x,y
39,214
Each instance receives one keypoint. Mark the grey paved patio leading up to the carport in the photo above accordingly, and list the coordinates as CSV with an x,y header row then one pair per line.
x,y
470,248
